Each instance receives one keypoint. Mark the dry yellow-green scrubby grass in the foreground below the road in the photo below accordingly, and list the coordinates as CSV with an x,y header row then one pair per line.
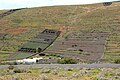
x,y
63,74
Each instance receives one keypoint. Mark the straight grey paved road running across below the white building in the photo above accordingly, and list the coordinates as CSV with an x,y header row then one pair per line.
x,y
66,66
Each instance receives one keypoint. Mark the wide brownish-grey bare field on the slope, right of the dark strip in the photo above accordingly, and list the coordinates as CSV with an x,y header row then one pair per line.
x,y
86,46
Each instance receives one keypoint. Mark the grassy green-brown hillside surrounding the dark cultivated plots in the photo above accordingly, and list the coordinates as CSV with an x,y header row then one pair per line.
x,y
21,26
